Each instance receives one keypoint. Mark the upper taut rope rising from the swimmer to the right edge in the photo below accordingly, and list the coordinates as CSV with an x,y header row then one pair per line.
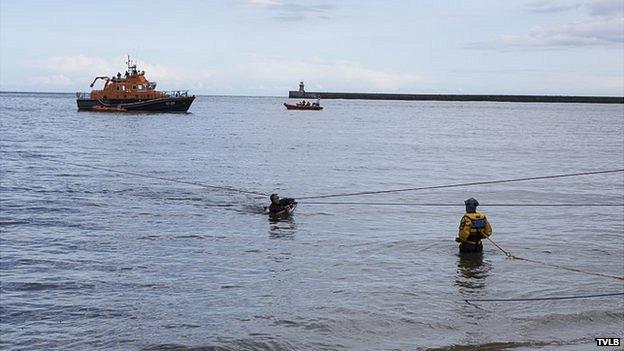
x,y
457,185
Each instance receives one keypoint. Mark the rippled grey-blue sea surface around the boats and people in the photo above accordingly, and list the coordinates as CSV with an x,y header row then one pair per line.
x,y
97,260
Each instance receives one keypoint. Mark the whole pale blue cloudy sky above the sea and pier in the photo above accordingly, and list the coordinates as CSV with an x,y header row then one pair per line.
x,y
265,47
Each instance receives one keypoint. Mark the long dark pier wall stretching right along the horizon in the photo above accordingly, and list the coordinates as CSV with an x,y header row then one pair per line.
x,y
294,94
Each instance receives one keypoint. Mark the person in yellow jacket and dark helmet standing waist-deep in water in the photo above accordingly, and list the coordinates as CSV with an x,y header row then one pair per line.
x,y
473,227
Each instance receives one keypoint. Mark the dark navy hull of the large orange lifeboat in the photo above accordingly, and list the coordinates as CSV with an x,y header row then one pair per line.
x,y
169,104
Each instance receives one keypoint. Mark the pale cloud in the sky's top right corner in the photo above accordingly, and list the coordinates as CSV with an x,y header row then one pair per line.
x,y
601,25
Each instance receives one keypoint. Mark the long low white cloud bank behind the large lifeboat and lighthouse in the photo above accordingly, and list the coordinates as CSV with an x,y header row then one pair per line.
x,y
257,75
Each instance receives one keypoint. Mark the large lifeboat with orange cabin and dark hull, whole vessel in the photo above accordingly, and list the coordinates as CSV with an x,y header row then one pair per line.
x,y
132,92
